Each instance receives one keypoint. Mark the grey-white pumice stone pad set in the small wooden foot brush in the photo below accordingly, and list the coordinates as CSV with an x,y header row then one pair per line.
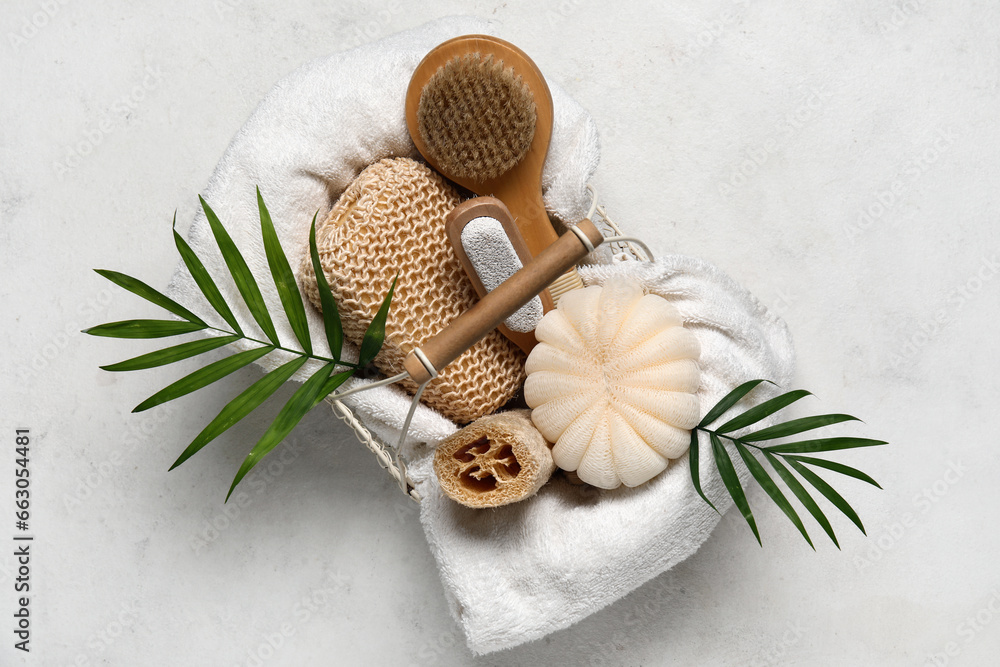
x,y
493,257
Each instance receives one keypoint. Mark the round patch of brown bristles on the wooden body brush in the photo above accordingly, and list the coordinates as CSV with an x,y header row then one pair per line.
x,y
476,118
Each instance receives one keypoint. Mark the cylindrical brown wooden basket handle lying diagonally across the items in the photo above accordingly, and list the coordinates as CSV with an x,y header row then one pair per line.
x,y
464,331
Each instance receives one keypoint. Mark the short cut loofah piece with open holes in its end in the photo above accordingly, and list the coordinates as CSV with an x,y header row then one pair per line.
x,y
497,460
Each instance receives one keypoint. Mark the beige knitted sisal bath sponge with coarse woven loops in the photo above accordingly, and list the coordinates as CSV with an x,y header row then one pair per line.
x,y
391,218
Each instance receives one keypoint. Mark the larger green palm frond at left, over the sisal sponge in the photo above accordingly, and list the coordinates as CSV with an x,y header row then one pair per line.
x,y
320,384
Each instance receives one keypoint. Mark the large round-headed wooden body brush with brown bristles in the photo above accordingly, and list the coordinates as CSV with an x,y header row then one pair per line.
x,y
480,112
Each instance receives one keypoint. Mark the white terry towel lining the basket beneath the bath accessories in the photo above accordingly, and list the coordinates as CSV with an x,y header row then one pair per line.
x,y
520,572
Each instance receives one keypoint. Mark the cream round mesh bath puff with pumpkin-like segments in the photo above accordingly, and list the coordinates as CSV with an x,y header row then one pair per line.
x,y
612,383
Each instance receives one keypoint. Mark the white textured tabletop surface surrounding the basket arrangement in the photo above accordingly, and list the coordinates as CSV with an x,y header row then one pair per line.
x,y
811,113
